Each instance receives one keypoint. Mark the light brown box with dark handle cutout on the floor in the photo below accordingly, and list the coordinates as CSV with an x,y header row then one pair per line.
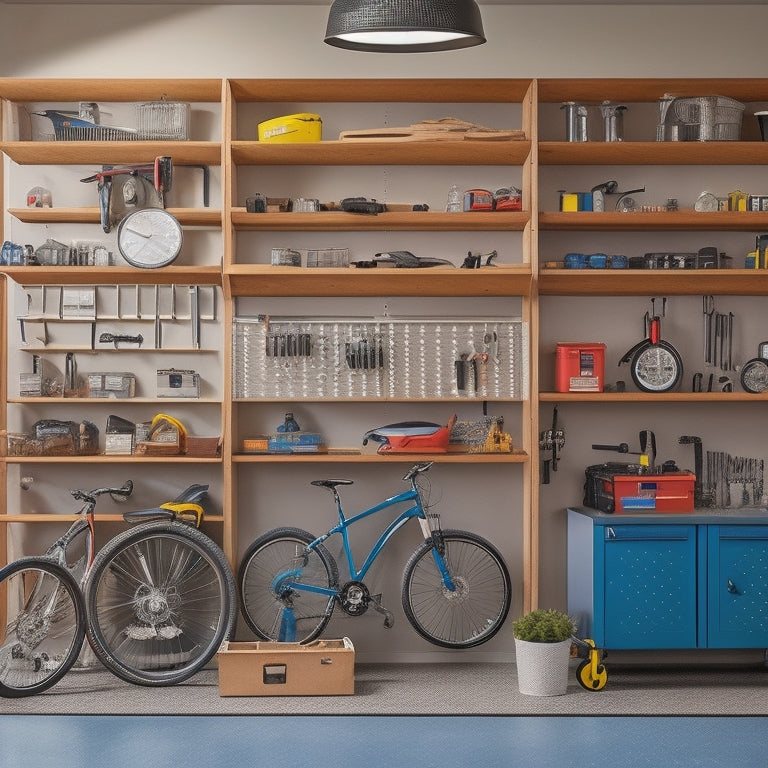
x,y
320,668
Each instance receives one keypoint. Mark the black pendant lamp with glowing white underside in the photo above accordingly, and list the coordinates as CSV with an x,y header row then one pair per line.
x,y
404,26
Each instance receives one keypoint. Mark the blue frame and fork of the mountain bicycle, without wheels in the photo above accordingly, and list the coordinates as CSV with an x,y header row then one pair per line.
x,y
289,580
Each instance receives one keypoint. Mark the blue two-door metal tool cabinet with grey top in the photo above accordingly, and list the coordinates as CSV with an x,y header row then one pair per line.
x,y
669,581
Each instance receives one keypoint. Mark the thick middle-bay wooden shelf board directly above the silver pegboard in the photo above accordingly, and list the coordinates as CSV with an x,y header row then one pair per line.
x,y
256,280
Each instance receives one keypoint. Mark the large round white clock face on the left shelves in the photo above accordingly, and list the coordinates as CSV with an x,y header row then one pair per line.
x,y
149,238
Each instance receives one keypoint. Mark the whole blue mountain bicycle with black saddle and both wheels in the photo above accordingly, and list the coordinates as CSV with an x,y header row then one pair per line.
x,y
456,589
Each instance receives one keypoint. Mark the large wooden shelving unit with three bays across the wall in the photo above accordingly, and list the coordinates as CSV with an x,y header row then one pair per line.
x,y
246,276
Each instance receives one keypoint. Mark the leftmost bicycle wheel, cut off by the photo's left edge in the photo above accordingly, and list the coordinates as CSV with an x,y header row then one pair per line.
x,y
42,625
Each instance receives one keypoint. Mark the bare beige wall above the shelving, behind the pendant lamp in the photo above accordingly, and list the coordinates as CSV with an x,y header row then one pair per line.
x,y
285,39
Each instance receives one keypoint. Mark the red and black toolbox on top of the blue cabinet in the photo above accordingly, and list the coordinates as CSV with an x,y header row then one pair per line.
x,y
621,488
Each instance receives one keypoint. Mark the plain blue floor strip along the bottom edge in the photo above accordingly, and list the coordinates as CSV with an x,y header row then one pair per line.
x,y
71,741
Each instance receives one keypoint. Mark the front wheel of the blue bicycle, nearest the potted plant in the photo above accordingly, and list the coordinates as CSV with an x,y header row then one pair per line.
x,y
473,611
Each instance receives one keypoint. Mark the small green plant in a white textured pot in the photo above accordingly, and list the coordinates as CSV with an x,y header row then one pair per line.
x,y
542,651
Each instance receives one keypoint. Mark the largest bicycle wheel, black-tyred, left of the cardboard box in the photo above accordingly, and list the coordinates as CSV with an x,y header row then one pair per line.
x,y
161,600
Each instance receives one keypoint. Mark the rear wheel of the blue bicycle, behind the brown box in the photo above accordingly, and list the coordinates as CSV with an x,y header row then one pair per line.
x,y
280,554
